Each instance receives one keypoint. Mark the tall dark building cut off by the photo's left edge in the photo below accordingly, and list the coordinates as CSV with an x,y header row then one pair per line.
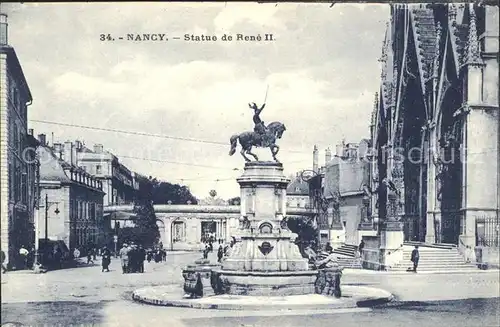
x,y
18,166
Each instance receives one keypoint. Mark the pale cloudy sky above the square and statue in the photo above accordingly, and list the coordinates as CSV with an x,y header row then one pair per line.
x,y
321,72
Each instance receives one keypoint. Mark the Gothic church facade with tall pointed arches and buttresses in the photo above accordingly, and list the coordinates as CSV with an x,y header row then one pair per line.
x,y
436,126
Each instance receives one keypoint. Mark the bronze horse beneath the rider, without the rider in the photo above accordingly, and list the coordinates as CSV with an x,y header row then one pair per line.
x,y
249,139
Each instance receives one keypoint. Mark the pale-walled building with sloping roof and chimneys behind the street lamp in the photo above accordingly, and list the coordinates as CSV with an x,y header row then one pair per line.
x,y
71,205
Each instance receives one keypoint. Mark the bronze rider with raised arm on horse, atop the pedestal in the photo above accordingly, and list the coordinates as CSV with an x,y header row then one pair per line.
x,y
262,136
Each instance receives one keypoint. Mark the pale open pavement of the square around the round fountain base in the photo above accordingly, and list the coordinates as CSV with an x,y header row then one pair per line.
x,y
85,295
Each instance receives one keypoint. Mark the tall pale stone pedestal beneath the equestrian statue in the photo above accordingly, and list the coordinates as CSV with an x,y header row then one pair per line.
x,y
265,260
